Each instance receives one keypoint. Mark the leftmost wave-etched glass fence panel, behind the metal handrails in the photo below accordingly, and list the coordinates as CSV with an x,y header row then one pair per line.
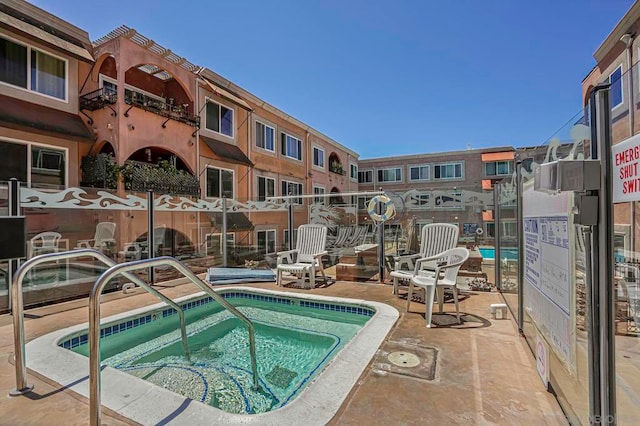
x,y
60,220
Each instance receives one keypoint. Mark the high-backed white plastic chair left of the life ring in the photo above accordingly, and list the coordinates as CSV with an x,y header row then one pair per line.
x,y
306,259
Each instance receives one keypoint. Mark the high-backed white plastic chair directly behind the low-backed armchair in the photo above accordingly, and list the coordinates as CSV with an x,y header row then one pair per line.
x,y
436,238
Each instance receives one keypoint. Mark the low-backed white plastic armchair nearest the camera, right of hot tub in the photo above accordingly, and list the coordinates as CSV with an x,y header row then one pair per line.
x,y
446,275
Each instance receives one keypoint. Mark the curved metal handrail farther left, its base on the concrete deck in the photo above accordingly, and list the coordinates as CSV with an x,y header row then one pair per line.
x,y
17,307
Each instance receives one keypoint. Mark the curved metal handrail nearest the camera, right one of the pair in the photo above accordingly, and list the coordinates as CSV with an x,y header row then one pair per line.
x,y
94,322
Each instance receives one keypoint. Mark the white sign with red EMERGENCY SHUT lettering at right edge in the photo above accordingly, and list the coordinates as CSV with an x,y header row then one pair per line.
x,y
625,157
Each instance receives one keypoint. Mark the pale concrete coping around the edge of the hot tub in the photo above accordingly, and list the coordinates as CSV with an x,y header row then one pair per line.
x,y
129,396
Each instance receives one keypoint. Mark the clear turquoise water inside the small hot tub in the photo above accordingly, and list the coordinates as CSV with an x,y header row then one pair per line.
x,y
292,347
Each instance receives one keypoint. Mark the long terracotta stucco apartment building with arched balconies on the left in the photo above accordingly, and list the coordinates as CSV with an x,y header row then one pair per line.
x,y
67,100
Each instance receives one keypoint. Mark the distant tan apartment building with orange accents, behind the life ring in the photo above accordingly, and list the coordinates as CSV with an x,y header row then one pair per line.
x,y
454,187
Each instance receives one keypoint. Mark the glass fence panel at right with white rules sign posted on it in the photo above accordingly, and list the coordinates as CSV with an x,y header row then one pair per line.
x,y
554,299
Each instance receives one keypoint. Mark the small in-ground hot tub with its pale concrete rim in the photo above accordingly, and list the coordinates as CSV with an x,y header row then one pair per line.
x,y
310,352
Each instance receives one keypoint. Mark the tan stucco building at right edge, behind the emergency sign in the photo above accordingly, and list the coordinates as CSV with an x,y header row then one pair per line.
x,y
617,63
